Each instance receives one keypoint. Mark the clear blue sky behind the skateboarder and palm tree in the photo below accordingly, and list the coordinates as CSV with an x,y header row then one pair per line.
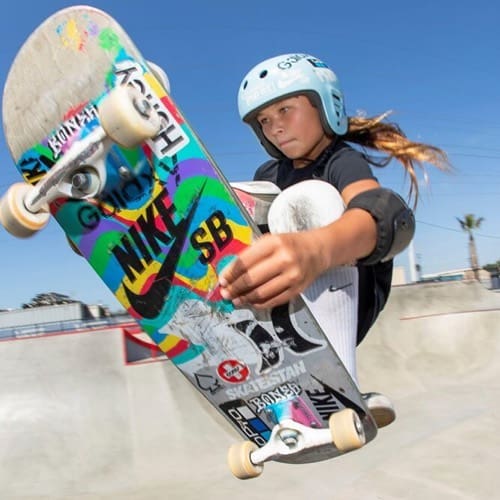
x,y
434,63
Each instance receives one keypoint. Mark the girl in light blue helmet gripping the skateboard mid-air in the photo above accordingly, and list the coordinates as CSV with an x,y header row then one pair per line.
x,y
295,106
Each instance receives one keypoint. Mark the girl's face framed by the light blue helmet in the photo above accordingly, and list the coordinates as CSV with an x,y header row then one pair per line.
x,y
293,126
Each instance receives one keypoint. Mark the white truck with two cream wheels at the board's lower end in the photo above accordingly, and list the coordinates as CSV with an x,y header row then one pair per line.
x,y
290,438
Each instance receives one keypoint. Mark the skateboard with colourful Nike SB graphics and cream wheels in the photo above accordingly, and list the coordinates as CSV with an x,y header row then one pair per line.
x,y
102,147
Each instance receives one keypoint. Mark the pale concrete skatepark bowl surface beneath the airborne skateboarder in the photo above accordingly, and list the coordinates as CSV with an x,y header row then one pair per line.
x,y
77,422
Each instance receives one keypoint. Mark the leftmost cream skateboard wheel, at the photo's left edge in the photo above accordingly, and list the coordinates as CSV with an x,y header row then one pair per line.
x,y
14,215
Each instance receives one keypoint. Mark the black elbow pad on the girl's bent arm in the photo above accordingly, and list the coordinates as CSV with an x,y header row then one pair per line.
x,y
395,223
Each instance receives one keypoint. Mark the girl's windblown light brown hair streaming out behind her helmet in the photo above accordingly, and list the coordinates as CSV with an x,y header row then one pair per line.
x,y
387,138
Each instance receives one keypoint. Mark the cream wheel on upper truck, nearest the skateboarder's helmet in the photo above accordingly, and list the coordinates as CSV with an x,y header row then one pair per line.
x,y
127,117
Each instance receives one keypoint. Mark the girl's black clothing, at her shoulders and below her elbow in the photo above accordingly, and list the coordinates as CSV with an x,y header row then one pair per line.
x,y
340,165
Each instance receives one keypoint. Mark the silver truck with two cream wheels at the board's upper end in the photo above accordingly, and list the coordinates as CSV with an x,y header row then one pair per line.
x,y
126,118
